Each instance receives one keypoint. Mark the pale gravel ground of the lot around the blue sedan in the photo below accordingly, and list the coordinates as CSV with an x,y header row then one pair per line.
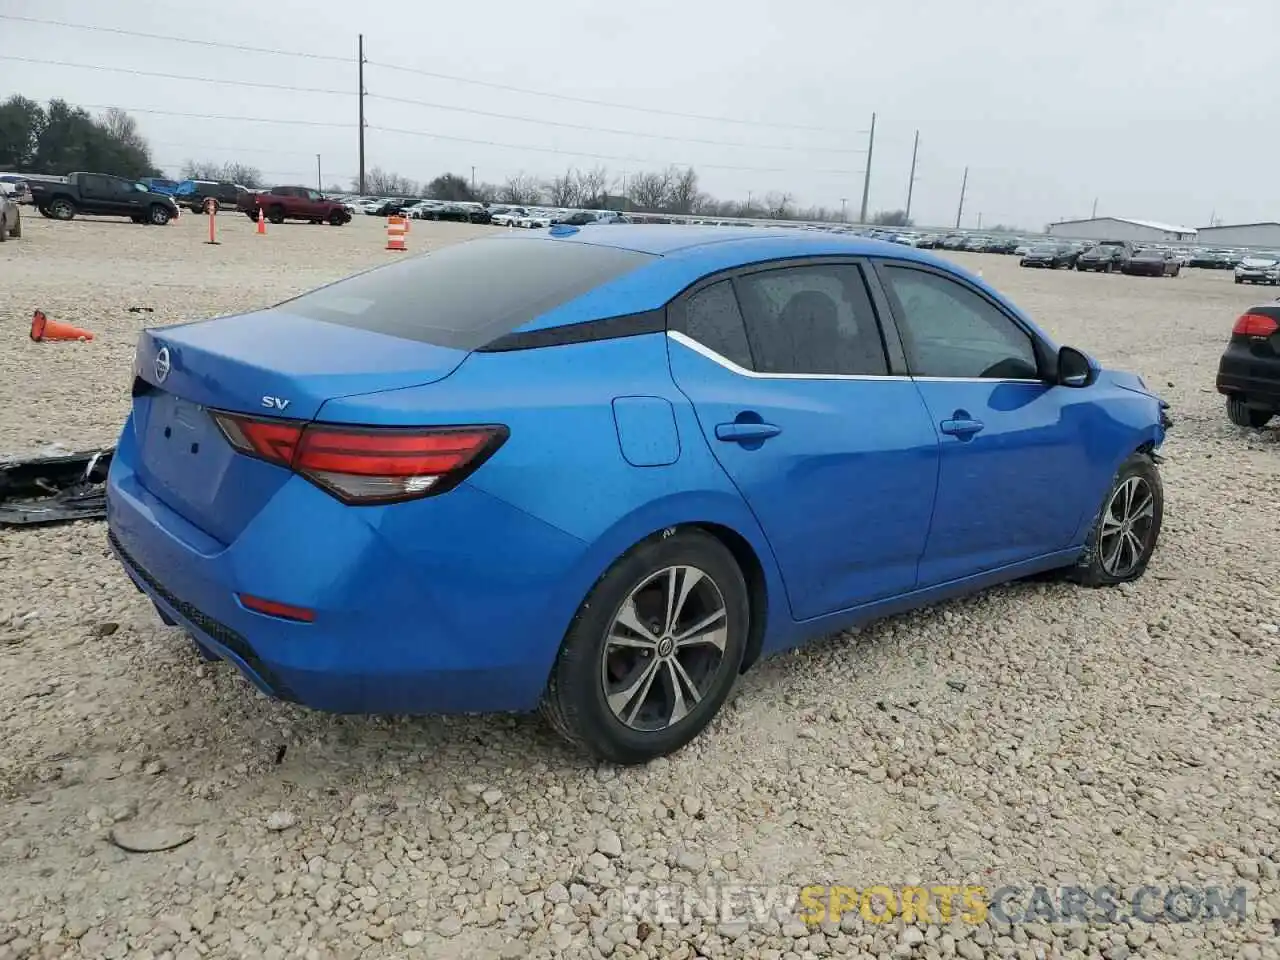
x,y
1037,734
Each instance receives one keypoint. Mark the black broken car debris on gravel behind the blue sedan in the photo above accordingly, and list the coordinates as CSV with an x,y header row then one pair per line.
x,y
57,490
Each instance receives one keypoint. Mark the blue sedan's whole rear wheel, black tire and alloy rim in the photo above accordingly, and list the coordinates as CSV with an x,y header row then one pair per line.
x,y
653,652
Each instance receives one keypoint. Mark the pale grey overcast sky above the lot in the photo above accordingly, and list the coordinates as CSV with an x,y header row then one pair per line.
x,y
1150,109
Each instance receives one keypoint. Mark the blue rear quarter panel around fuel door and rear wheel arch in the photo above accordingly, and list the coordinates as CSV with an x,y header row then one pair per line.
x,y
564,464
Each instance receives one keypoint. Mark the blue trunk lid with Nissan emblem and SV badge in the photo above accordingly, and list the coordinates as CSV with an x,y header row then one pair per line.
x,y
267,364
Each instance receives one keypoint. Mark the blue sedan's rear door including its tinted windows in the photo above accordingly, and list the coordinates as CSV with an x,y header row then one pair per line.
x,y
830,446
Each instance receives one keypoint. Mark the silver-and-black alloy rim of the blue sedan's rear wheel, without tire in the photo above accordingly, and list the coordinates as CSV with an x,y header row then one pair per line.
x,y
665,648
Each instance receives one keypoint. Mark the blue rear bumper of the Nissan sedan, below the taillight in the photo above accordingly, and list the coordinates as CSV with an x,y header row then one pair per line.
x,y
449,618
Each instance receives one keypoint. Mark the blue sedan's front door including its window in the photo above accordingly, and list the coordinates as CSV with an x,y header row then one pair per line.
x,y
1012,481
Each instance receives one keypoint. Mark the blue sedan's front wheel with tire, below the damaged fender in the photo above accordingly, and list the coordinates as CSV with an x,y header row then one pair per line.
x,y
1127,529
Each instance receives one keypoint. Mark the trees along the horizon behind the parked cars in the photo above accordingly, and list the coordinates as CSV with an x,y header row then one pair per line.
x,y
61,139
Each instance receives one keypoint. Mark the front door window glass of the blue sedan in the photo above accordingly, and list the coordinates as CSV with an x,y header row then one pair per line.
x,y
950,331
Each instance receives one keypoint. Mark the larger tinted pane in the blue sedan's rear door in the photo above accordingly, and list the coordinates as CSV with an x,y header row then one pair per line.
x,y
815,321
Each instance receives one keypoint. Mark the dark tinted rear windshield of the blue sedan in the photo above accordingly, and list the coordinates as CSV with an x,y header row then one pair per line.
x,y
468,295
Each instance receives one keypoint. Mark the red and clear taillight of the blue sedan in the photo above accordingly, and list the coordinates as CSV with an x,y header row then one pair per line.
x,y
365,465
